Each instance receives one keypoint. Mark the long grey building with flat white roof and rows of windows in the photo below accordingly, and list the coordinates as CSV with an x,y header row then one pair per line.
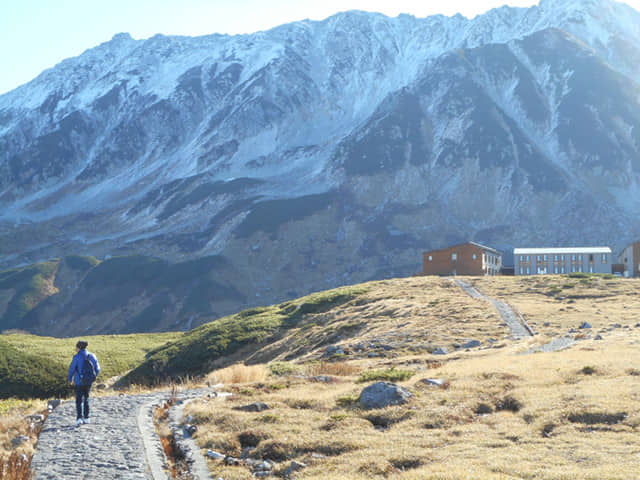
x,y
549,261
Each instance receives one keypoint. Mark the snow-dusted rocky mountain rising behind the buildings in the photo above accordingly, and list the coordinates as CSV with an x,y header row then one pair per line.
x,y
321,153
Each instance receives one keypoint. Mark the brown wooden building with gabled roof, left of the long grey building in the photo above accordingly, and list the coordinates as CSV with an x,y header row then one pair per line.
x,y
465,259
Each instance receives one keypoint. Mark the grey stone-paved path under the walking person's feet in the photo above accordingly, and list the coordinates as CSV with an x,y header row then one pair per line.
x,y
118,443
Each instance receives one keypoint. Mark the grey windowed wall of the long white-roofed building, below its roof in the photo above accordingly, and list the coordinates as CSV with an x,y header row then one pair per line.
x,y
551,264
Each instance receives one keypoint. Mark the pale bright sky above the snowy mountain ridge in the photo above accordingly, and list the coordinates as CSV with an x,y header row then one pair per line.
x,y
37,34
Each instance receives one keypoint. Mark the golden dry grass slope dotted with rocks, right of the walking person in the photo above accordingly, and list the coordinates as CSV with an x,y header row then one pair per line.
x,y
501,414
